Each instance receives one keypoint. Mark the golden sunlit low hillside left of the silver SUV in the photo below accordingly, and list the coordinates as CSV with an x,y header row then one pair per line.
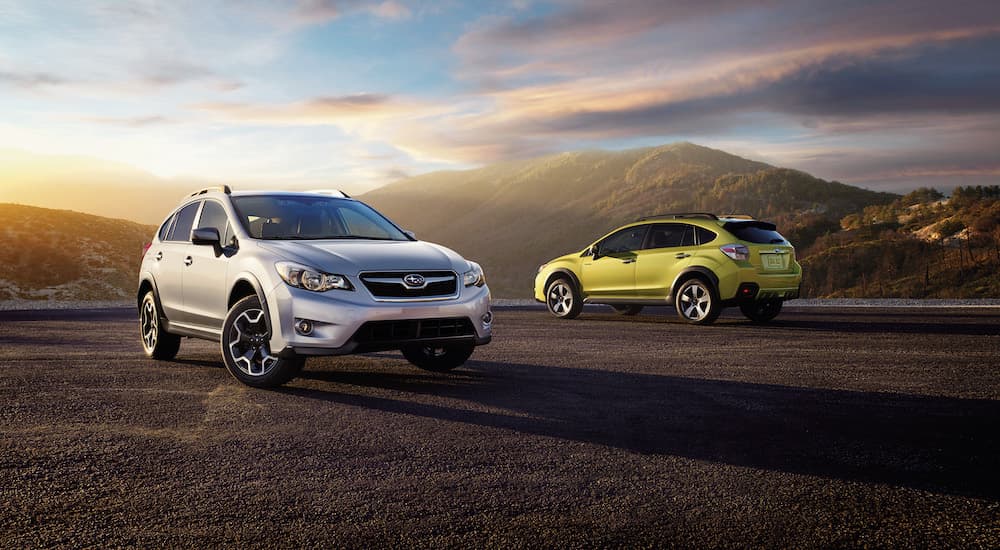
x,y
68,256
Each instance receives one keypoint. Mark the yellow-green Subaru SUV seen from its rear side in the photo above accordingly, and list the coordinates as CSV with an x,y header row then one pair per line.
x,y
697,262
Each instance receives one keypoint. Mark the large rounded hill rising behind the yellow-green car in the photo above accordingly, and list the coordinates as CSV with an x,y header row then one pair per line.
x,y
513,216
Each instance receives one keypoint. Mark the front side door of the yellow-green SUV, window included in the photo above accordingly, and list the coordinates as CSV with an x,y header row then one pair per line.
x,y
612,274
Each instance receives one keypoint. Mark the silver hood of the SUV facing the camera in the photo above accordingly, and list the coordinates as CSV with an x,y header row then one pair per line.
x,y
350,257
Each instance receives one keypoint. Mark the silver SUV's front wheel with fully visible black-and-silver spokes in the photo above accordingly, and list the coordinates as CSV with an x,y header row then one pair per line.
x,y
246,351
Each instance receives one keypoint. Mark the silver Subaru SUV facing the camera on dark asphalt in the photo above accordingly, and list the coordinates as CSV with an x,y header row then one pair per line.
x,y
278,276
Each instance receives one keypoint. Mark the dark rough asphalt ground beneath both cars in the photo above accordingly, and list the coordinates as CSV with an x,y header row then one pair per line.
x,y
832,427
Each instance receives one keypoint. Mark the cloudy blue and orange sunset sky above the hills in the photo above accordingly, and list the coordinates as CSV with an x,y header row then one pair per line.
x,y
354,94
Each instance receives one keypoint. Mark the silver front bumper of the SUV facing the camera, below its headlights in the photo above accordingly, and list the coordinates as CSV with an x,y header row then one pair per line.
x,y
345,322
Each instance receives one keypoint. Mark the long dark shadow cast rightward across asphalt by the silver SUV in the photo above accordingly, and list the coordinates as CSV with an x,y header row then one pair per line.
x,y
943,445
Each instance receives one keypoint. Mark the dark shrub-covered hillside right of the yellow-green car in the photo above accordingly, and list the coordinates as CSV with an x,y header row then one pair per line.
x,y
919,246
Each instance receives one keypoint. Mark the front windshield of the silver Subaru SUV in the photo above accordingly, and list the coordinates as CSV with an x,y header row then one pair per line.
x,y
285,217
